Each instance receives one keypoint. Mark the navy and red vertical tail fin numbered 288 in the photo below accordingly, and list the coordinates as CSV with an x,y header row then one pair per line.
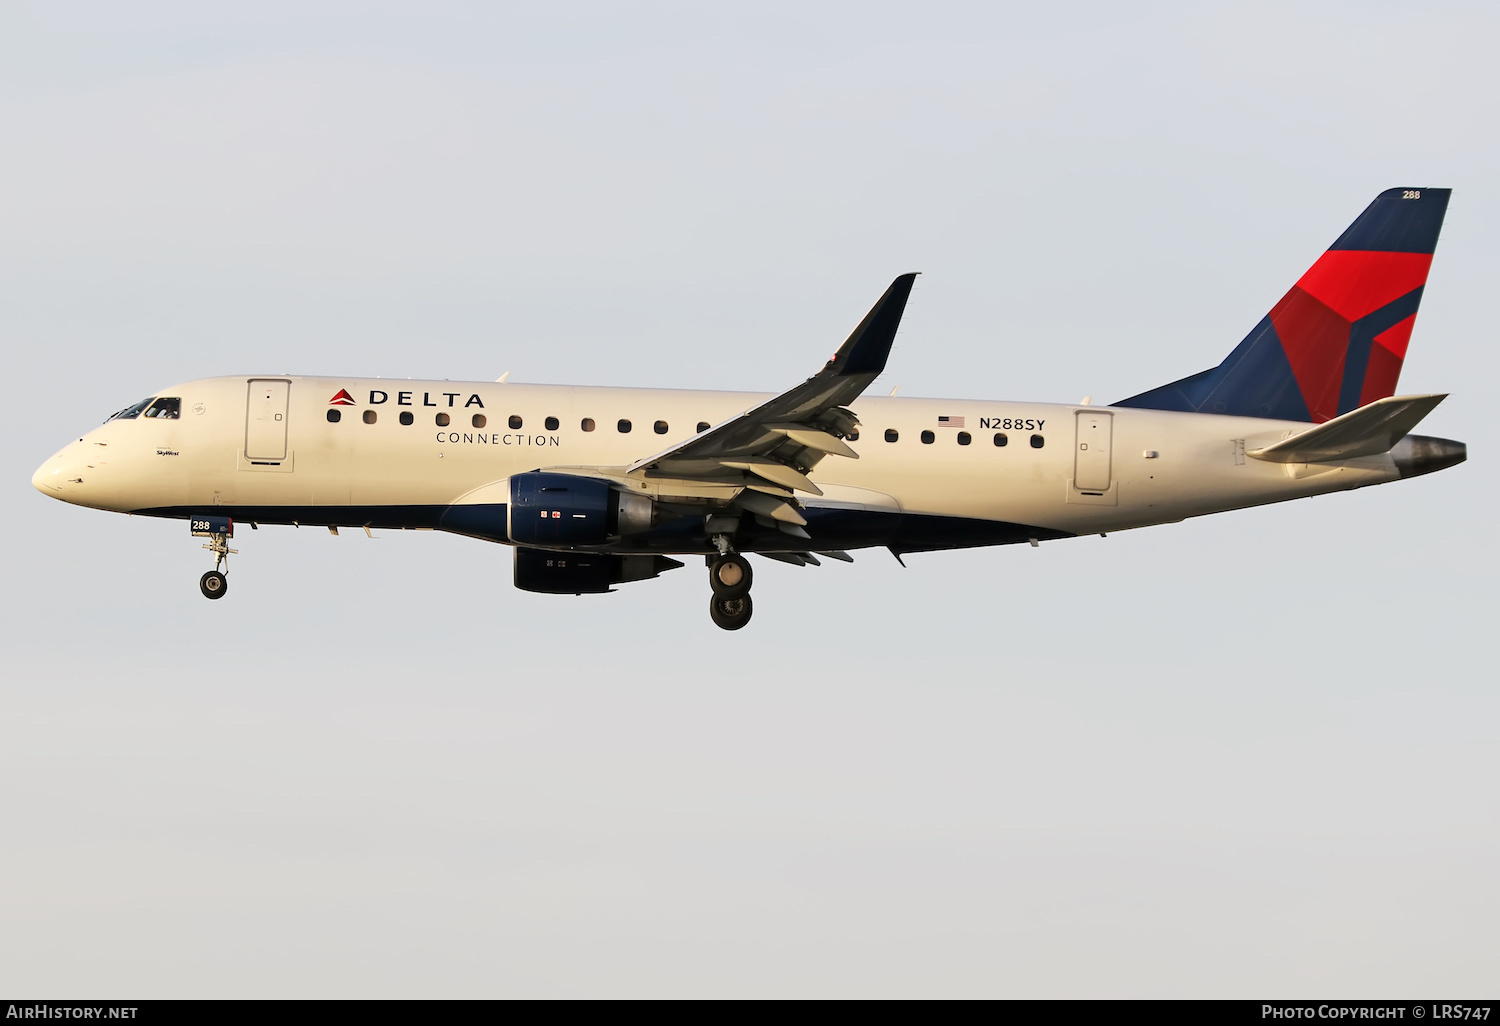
x,y
1337,340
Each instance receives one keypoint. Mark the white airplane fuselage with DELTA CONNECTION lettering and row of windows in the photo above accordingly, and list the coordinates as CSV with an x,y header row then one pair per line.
x,y
419,454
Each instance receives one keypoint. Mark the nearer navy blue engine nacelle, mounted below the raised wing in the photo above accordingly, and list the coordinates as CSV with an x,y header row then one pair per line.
x,y
568,511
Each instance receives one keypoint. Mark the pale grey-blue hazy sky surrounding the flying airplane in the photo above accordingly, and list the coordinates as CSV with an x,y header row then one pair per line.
x,y
1252,755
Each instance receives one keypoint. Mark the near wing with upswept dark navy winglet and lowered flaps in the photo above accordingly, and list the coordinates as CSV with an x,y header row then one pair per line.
x,y
772,449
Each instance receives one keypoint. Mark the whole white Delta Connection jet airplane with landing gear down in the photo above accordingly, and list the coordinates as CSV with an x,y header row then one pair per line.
x,y
601,487
